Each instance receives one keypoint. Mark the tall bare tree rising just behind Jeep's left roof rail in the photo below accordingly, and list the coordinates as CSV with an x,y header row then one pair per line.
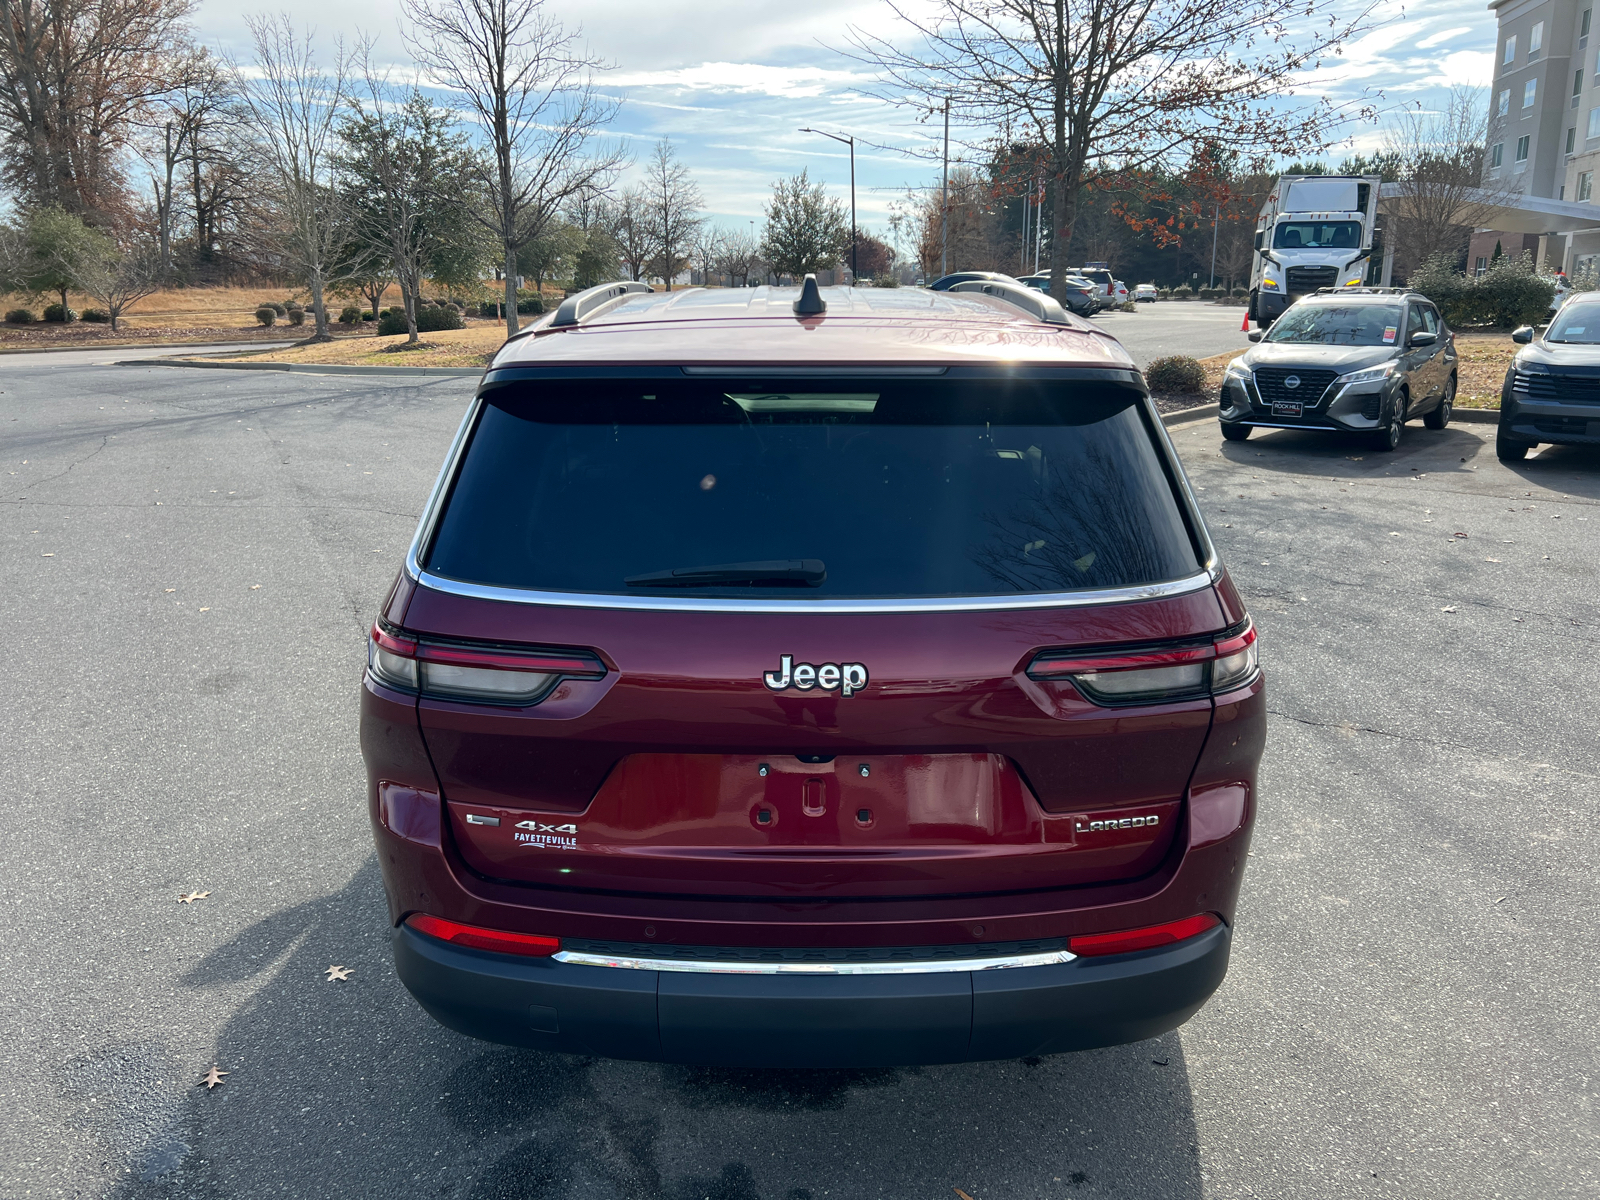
x,y
530,87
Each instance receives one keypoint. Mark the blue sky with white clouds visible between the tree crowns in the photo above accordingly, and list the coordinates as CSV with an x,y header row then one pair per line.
x,y
730,82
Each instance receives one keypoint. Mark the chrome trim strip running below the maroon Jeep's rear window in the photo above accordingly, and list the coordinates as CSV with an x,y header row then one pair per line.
x,y
668,604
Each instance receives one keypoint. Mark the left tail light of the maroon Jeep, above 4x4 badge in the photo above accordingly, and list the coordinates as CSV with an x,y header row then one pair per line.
x,y
474,673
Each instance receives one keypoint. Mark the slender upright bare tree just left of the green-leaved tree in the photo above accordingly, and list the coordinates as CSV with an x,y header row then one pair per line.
x,y
294,106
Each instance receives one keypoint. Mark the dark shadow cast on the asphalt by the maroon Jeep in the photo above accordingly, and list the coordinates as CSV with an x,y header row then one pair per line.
x,y
348,1089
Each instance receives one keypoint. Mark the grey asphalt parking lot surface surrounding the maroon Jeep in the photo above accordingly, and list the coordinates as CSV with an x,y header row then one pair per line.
x,y
194,559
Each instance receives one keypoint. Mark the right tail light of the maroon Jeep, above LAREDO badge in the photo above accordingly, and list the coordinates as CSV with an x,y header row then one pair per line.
x,y
1156,673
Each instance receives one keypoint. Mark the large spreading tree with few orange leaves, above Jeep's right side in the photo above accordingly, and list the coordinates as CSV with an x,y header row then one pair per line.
x,y
1116,86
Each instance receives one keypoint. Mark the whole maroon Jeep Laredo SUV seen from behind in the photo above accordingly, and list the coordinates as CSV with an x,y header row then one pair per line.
x,y
812,678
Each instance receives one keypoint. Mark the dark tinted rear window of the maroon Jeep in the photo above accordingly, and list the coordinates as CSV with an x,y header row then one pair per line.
x,y
879,489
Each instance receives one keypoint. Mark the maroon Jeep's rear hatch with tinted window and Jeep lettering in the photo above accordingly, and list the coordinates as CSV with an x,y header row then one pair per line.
x,y
814,639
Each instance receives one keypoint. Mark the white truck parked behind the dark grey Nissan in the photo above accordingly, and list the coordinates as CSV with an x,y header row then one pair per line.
x,y
1316,231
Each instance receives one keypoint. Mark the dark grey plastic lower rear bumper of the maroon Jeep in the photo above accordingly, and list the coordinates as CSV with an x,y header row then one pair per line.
x,y
812,1022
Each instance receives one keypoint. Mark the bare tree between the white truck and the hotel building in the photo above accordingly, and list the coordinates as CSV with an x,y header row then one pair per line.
x,y
1442,194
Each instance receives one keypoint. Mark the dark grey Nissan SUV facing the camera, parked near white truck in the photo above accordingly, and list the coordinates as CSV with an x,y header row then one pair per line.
x,y
1356,361
